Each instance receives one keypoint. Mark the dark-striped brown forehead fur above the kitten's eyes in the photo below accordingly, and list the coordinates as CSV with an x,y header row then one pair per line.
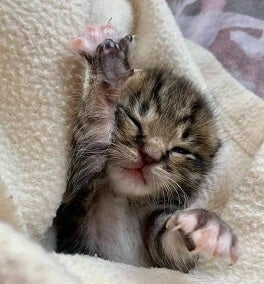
x,y
158,98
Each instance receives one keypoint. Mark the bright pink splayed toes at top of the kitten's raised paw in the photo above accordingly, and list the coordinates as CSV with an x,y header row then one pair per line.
x,y
93,37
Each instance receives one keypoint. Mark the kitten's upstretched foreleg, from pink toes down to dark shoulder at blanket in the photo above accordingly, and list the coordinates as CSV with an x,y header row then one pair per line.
x,y
109,69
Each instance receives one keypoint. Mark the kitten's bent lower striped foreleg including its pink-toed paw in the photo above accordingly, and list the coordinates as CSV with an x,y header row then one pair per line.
x,y
176,240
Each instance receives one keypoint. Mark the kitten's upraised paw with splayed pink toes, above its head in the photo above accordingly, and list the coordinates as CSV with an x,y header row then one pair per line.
x,y
107,53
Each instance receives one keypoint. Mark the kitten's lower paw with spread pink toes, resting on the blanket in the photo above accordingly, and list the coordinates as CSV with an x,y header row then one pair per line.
x,y
208,233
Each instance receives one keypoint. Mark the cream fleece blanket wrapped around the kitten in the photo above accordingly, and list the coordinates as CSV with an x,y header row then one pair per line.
x,y
39,80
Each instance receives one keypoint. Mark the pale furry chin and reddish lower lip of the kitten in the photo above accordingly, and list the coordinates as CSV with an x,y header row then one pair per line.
x,y
130,182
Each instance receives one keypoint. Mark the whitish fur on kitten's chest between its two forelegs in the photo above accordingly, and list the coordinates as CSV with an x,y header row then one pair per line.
x,y
113,230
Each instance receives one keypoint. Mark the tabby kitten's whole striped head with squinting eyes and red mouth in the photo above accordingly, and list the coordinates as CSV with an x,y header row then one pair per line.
x,y
165,137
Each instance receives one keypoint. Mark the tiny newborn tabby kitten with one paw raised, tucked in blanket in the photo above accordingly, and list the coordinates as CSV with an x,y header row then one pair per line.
x,y
143,145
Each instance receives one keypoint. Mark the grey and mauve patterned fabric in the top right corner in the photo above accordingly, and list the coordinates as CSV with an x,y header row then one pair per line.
x,y
233,30
